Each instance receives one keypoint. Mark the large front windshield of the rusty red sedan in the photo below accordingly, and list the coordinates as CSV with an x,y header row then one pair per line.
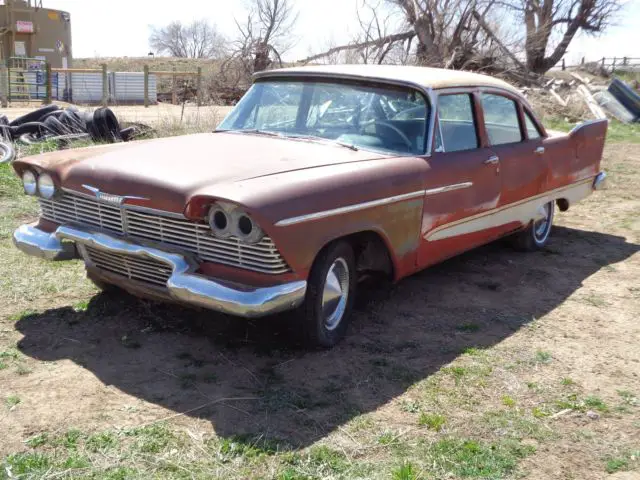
x,y
377,118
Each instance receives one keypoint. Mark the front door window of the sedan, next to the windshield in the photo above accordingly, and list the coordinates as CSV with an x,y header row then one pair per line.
x,y
457,129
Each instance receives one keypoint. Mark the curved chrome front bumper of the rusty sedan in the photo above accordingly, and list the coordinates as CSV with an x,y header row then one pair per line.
x,y
184,285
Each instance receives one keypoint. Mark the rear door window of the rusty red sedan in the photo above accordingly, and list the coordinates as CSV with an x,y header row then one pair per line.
x,y
501,119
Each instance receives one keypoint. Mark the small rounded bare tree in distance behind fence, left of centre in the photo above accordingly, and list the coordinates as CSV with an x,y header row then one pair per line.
x,y
199,39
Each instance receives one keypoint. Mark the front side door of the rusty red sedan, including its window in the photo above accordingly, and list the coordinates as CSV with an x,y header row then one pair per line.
x,y
462,184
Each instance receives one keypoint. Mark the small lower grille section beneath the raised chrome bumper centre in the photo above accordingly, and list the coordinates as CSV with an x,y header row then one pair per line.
x,y
133,267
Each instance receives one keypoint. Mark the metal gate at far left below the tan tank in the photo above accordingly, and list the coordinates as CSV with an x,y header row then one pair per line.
x,y
27,79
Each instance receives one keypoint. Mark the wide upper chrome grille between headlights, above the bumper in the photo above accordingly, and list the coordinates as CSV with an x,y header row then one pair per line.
x,y
191,236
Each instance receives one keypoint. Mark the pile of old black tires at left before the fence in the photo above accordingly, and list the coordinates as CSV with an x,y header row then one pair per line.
x,y
64,126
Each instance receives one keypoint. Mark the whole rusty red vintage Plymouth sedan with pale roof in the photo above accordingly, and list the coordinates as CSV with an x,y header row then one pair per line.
x,y
319,176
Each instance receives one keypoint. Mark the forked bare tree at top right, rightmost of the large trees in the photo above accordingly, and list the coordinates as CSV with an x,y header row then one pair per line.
x,y
550,26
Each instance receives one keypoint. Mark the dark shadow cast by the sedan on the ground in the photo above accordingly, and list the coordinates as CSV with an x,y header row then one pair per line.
x,y
183,359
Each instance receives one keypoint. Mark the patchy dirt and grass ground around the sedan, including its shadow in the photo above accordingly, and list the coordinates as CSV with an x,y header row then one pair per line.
x,y
493,365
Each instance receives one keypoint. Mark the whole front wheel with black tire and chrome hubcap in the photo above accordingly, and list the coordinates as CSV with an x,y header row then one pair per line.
x,y
331,289
